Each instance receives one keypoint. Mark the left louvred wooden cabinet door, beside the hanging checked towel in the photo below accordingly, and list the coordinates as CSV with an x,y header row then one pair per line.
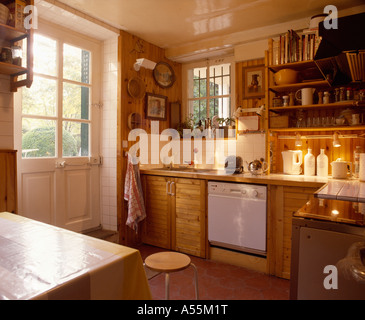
x,y
156,227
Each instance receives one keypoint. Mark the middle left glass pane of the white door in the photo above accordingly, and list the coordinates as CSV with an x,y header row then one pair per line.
x,y
41,98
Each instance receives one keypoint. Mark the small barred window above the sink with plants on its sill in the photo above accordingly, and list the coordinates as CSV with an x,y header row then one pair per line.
x,y
209,90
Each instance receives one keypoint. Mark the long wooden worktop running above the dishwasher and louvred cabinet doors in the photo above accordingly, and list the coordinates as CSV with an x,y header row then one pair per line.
x,y
220,175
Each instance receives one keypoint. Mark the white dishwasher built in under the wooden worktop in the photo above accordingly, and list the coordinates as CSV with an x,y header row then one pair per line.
x,y
237,216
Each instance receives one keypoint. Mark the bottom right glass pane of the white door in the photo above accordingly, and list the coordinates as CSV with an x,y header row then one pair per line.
x,y
75,139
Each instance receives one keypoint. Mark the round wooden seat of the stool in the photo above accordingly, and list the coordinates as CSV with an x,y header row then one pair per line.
x,y
168,261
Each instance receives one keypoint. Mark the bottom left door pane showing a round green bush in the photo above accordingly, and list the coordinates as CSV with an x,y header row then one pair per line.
x,y
39,138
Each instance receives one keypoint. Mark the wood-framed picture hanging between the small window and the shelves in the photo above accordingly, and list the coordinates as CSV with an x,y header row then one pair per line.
x,y
253,82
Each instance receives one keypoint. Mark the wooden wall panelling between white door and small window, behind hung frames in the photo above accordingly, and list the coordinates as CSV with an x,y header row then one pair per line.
x,y
130,49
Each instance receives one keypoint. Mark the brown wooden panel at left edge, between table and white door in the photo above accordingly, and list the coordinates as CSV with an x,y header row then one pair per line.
x,y
8,189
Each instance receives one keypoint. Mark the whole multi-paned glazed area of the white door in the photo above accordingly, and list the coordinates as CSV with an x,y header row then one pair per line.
x,y
55,110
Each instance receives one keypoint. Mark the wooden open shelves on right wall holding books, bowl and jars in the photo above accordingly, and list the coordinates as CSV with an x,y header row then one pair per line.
x,y
276,141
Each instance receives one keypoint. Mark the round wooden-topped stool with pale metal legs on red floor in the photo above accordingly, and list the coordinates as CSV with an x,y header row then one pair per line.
x,y
167,262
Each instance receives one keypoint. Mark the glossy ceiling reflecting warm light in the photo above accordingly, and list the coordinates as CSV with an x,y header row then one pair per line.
x,y
175,24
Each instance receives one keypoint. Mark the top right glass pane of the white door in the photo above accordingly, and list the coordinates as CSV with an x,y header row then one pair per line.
x,y
76,64
